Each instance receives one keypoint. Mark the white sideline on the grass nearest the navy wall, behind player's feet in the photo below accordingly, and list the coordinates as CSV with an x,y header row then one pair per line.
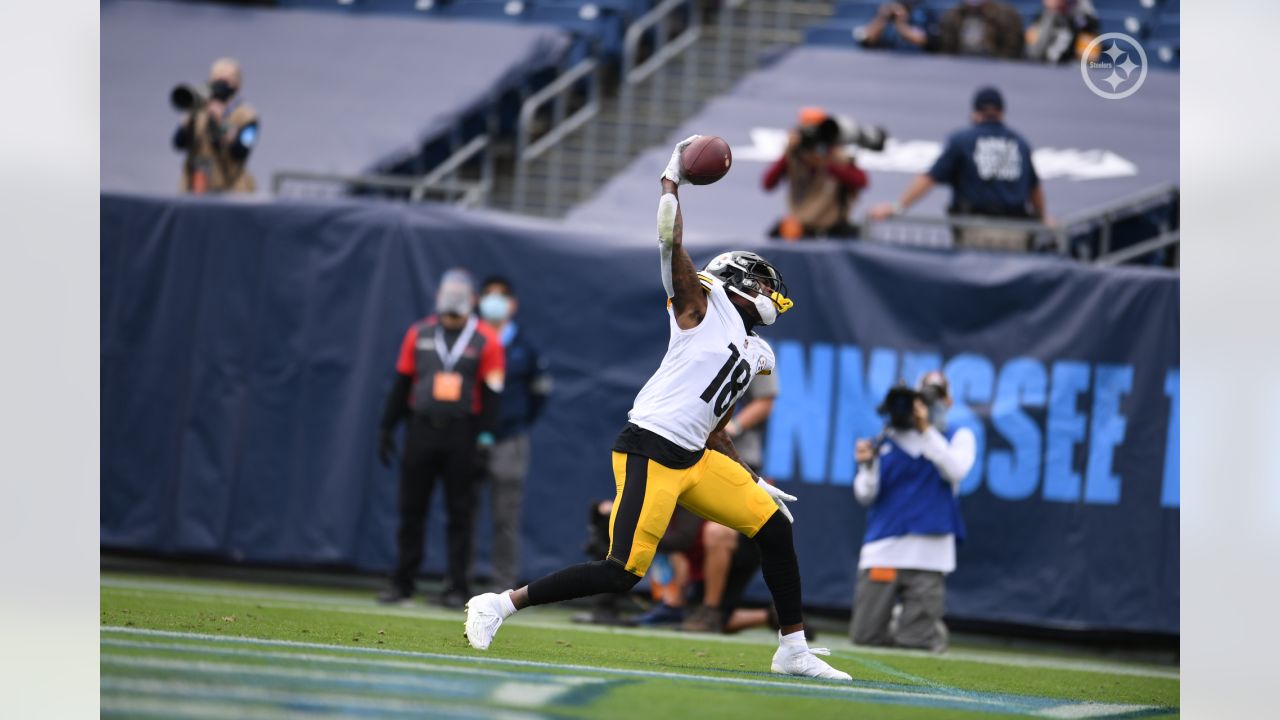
x,y
305,601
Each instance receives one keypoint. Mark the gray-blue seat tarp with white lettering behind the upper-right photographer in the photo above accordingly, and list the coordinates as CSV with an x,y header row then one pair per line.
x,y
1091,152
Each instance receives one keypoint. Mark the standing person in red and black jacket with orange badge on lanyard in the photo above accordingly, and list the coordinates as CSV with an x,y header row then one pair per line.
x,y
449,382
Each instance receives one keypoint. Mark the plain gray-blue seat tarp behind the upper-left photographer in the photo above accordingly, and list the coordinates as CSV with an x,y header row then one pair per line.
x,y
337,93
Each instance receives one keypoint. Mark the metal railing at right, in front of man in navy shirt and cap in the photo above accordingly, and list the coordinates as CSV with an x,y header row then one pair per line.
x,y
1005,234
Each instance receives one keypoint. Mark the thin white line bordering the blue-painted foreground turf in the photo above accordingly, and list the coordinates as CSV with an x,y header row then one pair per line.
x,y
383,655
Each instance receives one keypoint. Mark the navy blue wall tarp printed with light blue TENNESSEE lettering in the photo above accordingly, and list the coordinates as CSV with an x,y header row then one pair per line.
x,y
246,350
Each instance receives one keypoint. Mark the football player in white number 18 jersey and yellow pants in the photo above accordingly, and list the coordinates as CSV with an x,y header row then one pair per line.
x,y
675,449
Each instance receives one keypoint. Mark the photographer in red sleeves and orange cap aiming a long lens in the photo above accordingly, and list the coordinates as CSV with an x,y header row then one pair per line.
x,y
824,180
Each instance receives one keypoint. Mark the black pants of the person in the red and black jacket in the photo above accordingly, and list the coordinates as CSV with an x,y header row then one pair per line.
x,y
446,452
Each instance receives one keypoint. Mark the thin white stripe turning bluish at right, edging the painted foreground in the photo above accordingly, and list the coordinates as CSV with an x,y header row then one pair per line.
x,y
936,696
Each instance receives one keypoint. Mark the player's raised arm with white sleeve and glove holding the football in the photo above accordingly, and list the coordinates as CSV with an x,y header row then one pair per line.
x,y
679,274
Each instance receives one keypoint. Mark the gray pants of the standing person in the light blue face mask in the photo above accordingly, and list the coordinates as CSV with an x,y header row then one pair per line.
x,y
509,463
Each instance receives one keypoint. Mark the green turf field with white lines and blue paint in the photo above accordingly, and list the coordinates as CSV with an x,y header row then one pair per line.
x,y
199,649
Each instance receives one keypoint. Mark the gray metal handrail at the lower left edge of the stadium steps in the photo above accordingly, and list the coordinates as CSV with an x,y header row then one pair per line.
x,y
557,94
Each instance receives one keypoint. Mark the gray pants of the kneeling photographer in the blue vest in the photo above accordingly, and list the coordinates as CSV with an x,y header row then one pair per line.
x,y
924,598
